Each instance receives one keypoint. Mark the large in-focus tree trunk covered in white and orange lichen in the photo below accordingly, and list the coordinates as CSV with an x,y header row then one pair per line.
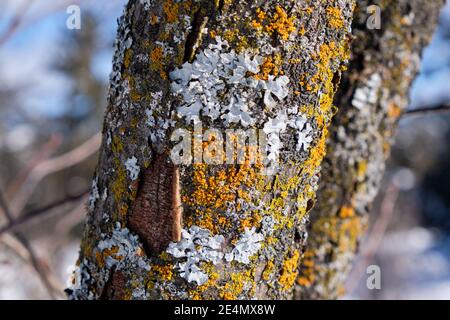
x,y
160,230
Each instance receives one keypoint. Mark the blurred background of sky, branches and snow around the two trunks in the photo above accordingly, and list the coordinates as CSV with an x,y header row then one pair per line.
x,y
53,84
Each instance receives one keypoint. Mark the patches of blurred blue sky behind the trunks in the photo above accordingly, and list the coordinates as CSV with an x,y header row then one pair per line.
x,y
25,58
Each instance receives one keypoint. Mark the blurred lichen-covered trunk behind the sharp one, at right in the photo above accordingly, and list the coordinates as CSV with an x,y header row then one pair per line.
x,y
373,95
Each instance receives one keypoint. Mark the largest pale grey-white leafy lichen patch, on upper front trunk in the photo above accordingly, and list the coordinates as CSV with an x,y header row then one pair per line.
x,y
217,85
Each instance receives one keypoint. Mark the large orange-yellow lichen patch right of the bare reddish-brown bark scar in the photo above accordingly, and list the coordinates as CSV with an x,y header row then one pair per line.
x,y
214,190
